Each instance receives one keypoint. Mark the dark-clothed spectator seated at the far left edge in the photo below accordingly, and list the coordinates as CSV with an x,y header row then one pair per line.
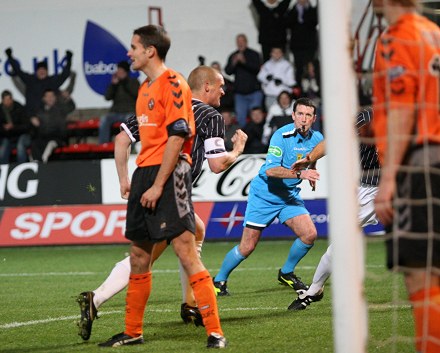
x,y
14,129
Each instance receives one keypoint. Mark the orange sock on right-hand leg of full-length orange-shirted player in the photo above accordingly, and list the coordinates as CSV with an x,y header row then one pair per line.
x,y
206,300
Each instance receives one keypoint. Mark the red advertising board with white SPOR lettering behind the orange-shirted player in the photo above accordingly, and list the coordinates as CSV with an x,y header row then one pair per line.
x,y
59,225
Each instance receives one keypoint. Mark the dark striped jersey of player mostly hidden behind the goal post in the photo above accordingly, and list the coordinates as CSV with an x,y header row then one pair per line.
x,y
369,158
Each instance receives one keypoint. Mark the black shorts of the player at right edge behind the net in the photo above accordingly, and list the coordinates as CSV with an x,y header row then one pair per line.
x,y
414,239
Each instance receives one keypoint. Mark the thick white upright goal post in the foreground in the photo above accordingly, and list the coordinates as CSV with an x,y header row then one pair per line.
x,y
339,95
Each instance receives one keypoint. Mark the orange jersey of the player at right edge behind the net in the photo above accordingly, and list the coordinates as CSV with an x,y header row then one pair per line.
x,y
407,76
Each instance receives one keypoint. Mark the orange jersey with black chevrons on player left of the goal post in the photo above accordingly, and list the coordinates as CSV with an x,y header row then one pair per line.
x,y
163,109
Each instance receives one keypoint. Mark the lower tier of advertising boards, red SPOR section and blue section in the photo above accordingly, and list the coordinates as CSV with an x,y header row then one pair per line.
x,y
101,224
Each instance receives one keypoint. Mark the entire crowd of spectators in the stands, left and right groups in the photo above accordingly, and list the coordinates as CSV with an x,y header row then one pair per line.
x,y
260,88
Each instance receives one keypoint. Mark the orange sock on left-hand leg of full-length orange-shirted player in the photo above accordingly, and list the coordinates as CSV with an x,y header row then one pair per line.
x,y
139,289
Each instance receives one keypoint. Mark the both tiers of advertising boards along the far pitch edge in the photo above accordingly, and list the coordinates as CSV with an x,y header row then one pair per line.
x,y
78,202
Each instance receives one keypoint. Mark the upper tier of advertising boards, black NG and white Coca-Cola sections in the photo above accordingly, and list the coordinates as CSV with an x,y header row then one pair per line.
x,y
96,182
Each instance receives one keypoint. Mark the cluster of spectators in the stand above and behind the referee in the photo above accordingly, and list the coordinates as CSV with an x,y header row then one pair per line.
x,y
261,87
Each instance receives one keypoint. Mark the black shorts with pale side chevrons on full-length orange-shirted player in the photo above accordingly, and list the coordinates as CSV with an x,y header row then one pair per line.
x,y
174,213
